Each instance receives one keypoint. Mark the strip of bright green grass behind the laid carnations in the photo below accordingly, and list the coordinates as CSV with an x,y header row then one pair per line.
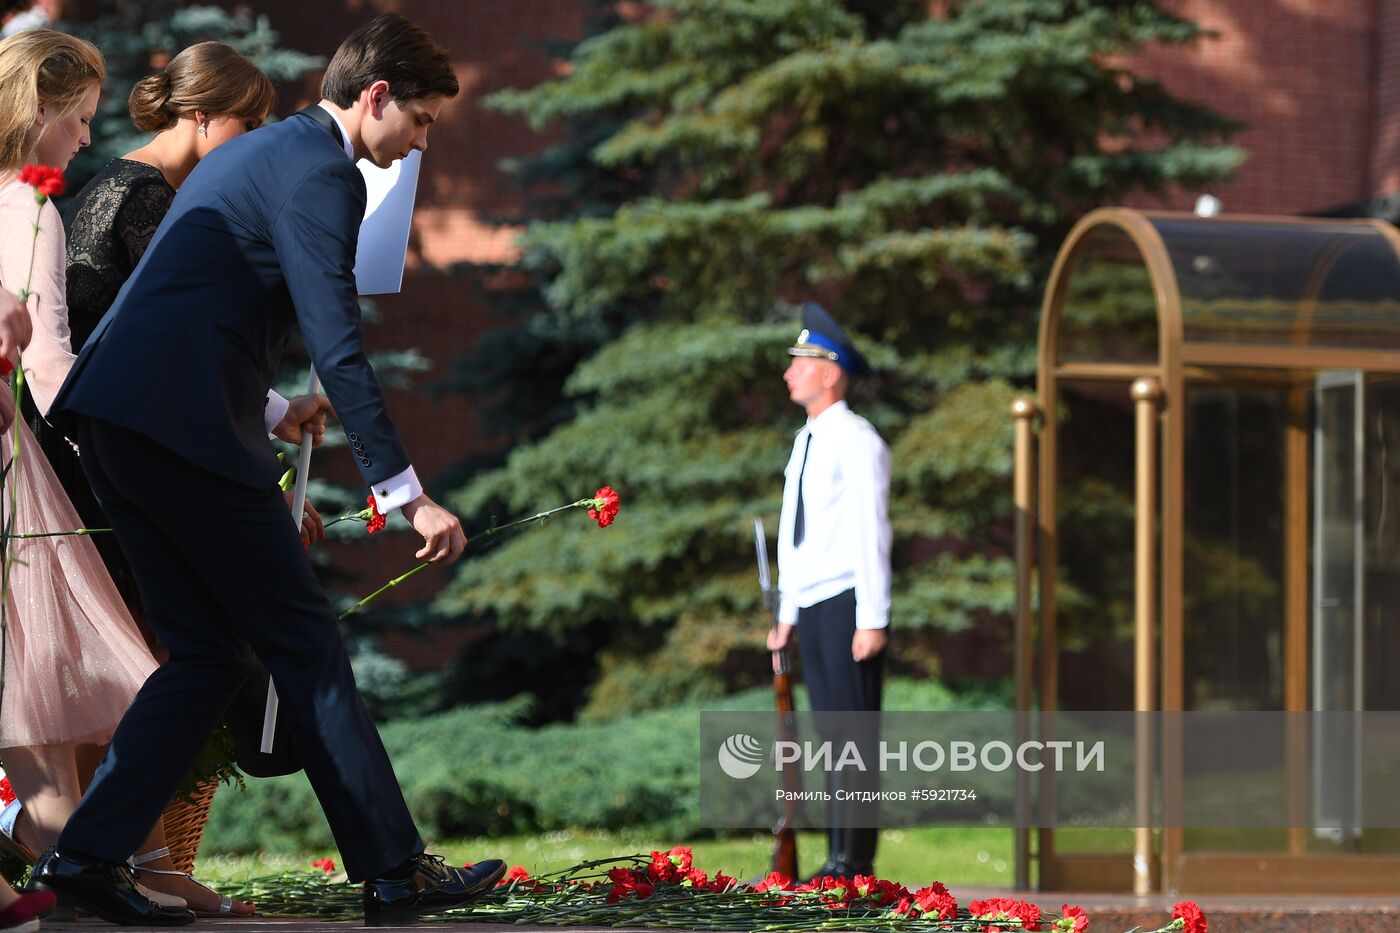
x,y
958,858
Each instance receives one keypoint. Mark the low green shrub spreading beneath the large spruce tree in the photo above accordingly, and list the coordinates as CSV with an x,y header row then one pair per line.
x,y
474,771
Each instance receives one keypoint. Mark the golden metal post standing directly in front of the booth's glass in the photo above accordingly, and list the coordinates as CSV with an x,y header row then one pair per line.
x,y
1147,394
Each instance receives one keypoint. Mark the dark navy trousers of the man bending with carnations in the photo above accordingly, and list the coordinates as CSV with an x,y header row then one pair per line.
x,y
223,576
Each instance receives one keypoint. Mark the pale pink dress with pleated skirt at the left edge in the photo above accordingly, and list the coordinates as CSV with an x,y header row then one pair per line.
x,y
75,659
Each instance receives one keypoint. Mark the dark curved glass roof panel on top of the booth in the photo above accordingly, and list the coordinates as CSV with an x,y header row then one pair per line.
x,y
1325,285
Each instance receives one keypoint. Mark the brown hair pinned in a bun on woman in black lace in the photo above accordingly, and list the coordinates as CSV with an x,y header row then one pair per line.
x,y
208,76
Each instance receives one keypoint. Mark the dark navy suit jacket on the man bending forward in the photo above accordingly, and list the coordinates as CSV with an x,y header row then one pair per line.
x,y
261,237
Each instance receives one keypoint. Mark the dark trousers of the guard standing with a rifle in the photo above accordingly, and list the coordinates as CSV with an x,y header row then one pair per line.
x,y
838,683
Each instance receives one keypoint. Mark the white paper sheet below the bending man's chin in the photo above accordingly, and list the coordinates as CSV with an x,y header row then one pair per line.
x,y
388,216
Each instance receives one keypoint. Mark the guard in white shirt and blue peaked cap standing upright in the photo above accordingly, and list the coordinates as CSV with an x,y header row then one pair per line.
x,y
834,550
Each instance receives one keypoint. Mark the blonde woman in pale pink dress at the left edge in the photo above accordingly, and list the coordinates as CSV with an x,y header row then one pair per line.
x,y
75,659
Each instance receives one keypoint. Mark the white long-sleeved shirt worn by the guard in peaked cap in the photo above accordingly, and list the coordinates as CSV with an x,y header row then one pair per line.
x,y
846,519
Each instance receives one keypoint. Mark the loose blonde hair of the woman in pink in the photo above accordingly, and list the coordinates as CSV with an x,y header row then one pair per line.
x,y
41,67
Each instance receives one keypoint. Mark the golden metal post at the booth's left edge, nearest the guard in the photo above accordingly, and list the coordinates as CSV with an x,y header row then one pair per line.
x,y
1024,411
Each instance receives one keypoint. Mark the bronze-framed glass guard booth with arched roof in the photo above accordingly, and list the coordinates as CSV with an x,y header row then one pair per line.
x,y
1219,519
